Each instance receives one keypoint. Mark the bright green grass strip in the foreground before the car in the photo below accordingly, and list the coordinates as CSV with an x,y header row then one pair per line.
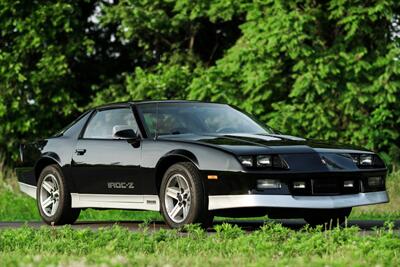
x,y
271,245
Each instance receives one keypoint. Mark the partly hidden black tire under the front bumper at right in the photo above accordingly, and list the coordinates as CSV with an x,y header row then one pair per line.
x,y
328,218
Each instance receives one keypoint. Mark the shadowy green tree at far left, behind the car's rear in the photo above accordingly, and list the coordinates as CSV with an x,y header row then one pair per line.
x,y
51,55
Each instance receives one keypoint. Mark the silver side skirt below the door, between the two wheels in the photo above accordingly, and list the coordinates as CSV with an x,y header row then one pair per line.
x,y
108,201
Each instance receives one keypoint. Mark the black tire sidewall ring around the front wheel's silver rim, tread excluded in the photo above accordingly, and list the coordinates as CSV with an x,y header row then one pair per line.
x,y
196,194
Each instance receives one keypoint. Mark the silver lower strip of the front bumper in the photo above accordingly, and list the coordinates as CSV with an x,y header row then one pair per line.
x,y
218,202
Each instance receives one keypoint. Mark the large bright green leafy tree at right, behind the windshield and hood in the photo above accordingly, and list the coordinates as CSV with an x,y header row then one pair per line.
x,y
321,69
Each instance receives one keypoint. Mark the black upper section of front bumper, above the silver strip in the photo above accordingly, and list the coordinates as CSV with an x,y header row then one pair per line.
x,y
326,183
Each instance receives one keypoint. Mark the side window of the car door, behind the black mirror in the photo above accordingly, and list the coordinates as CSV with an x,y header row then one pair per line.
x,y
101,125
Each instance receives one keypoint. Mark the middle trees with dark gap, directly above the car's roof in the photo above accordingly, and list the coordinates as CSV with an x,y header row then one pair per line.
x,y
179,39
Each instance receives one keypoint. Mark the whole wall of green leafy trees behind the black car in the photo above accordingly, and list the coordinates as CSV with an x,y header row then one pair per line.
x,y
320,69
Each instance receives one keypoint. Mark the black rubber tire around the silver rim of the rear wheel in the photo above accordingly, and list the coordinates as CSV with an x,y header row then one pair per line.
x,y
63,214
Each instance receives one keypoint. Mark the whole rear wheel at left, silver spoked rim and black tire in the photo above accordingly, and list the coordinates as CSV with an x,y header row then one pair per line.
x,y
53,197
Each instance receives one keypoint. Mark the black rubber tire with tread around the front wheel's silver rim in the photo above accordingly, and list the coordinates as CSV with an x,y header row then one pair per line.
x,y
198,212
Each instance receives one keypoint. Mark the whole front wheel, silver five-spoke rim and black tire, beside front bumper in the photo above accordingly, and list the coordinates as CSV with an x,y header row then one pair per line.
x,y
183,198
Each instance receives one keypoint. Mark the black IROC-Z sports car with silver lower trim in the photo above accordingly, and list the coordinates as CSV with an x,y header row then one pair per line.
x,y
192,161
